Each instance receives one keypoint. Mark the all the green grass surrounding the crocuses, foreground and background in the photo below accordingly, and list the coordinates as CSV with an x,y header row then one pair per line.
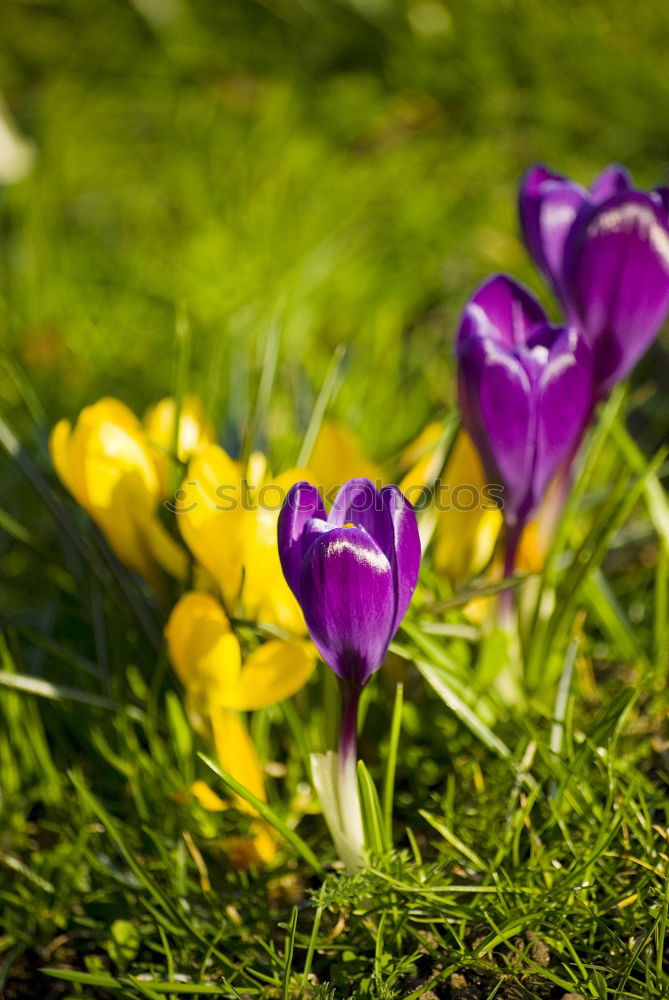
x,y
290,178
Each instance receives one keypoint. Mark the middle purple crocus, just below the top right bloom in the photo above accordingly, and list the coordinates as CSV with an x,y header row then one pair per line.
x,y
525,390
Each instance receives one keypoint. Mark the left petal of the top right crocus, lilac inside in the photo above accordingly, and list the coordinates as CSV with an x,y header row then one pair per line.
x,y
548,204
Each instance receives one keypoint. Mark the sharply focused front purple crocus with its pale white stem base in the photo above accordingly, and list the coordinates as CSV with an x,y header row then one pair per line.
x,y
353,573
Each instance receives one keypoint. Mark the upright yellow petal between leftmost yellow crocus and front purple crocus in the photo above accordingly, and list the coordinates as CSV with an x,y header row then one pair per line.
x,y
210,515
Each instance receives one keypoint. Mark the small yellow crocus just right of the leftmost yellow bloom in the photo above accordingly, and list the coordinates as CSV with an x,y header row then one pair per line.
x,y
194,432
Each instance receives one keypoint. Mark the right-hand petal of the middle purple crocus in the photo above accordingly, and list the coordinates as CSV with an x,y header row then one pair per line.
x,y
564,400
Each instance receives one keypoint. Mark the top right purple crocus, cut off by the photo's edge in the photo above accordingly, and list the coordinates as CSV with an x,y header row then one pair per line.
x,y
605,252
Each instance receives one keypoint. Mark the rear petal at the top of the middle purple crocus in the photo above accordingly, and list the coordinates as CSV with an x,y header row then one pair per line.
x,y
502,310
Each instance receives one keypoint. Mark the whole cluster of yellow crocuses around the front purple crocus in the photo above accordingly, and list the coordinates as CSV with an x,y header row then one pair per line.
x,y
122,471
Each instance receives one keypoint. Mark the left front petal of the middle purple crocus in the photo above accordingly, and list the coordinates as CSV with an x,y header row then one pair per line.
x,y
495,394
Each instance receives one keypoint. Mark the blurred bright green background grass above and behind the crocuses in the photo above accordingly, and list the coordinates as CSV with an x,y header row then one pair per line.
x,y
345,170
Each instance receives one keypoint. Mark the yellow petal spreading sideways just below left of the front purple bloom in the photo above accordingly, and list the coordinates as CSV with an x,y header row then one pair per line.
x,y
274,671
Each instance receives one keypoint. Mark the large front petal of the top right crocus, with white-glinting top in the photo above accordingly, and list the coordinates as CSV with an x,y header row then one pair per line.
x,y
617,273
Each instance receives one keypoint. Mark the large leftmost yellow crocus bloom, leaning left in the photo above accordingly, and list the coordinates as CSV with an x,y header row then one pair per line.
x,y
108,465
